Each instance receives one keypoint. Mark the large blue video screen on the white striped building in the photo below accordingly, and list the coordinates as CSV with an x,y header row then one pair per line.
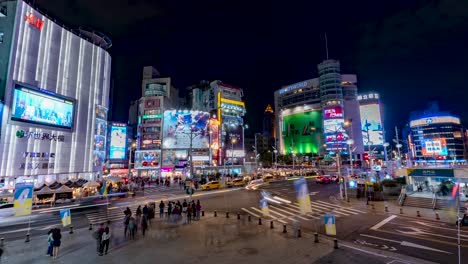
x,y
39,107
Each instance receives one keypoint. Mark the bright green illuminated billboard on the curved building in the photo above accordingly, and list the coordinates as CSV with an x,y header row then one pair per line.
x,y
302,132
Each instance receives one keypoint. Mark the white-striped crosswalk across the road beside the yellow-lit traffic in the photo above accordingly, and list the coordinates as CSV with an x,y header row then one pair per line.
x,y
291,212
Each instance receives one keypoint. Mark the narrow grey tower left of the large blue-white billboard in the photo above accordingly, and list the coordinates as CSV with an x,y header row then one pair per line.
x,y
158,95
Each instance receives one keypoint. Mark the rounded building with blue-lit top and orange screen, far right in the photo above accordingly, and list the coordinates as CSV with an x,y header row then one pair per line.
x,y
436,137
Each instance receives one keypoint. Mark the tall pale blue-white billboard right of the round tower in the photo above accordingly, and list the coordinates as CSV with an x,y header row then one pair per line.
x,y
372,129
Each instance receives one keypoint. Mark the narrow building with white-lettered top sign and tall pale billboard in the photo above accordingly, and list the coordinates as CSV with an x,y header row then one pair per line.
x,y
372,128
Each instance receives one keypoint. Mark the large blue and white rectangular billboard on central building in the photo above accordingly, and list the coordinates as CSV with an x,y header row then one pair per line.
x,y
180,128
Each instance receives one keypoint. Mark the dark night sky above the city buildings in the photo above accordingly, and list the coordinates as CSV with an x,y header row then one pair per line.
x,y
408,51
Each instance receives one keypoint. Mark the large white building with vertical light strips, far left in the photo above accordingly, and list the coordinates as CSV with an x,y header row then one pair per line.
x,y
54,92
